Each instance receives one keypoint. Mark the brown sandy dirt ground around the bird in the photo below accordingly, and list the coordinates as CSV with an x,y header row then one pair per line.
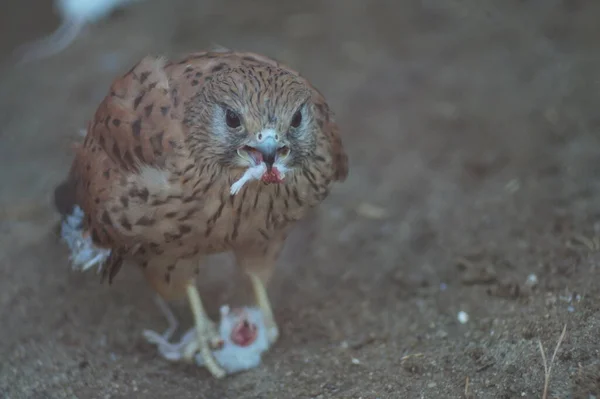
x,y
473,133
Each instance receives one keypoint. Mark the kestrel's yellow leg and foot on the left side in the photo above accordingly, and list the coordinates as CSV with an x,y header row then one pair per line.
x,y
205,333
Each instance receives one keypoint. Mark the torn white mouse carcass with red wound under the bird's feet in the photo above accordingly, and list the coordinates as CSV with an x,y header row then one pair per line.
x,y
234,355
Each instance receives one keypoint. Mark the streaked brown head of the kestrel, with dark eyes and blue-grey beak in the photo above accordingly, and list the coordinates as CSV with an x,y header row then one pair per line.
x,y
246,115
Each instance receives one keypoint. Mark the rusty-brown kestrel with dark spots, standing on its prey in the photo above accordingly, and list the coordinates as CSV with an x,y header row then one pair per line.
x,y
221,151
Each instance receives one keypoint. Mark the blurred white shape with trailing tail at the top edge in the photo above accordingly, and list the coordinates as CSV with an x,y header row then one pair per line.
x,y
75,15
